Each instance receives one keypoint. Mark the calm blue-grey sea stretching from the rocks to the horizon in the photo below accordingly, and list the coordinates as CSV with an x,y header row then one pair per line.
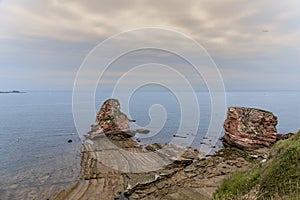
x,y
35,127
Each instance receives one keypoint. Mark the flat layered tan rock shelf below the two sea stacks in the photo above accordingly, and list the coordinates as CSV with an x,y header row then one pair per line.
x,y
187,178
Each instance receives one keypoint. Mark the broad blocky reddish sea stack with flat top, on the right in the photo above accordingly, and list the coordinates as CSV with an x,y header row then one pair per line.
x,y
249,128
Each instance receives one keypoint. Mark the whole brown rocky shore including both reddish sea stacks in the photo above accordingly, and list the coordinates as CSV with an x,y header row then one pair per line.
x,y
114,166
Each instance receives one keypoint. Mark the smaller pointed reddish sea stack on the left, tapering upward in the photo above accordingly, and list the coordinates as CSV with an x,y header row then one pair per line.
x,y
110,118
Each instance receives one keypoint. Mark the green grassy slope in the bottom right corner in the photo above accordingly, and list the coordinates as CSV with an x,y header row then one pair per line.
x,y
278,178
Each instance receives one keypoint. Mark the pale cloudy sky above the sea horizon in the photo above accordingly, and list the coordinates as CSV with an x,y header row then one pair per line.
x,y
255,44
